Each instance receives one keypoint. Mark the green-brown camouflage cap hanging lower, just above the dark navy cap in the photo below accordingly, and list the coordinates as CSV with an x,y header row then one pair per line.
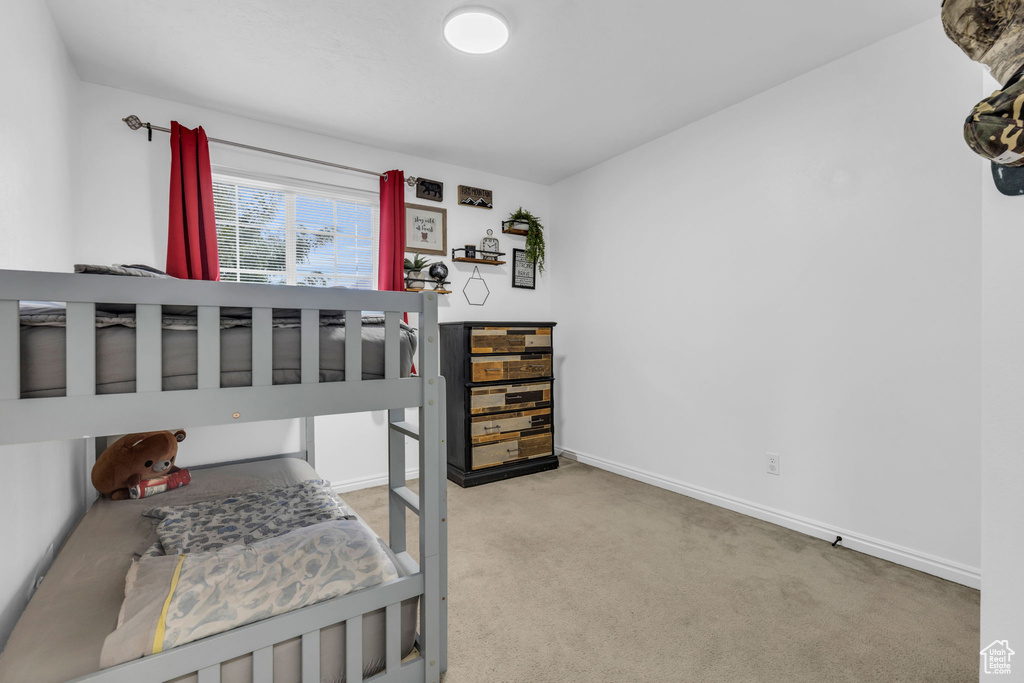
x,y
996,127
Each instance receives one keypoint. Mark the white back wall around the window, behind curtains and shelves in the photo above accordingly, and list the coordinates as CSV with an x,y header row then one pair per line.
x,y
122,219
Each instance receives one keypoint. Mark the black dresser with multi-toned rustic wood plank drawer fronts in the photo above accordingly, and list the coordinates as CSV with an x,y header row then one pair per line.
x,y
500,408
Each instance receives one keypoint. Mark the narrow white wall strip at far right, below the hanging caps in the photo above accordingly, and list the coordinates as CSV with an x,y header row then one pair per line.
x,y
1003,419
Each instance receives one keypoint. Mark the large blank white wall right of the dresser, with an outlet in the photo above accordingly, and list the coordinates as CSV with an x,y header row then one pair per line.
x,y
801,275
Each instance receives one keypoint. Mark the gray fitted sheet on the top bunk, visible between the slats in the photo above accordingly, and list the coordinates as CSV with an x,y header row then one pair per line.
x,y
45,373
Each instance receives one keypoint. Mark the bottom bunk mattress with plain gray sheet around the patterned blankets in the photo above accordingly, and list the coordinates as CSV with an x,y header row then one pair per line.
x,y
62,634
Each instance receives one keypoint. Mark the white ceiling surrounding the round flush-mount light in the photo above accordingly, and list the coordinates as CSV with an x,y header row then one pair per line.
x,y
580,81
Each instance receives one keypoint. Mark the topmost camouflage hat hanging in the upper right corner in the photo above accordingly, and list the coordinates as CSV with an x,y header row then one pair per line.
x,y
989,31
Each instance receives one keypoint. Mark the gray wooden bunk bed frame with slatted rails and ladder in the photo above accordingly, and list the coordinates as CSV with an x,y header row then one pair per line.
x,y
83,414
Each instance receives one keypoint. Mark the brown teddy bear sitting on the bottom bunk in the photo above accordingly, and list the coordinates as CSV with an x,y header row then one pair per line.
x,y
140,465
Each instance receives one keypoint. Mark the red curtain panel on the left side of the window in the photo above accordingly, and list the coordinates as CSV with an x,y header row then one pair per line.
x,y
192,231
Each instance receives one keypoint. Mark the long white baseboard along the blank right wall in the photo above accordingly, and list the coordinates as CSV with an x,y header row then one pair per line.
x,y
955,572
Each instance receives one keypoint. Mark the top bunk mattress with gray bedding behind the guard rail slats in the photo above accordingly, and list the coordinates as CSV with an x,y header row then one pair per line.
x,y
44,343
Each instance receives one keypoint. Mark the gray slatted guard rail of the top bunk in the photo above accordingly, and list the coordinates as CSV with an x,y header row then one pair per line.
x,y
78,414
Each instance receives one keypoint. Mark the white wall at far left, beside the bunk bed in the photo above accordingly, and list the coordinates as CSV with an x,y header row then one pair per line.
x,y
41,493
